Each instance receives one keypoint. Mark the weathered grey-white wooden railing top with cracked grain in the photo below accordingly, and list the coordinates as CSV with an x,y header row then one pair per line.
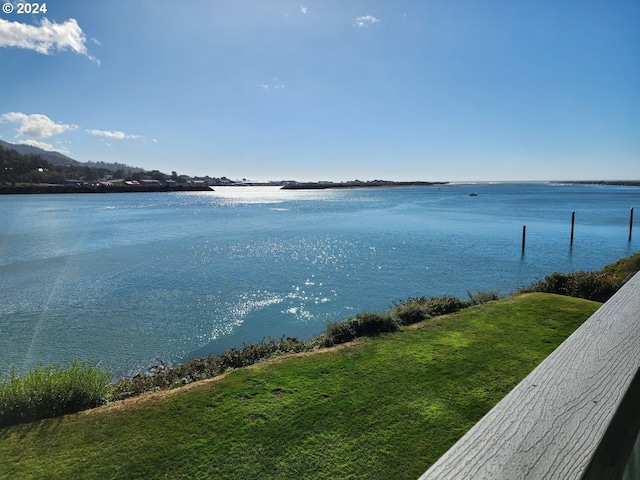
x,y
576,416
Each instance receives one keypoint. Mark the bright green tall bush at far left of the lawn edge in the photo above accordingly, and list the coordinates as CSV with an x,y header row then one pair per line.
x,y
51,391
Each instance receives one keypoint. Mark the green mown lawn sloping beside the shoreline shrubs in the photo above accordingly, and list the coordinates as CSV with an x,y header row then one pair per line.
x,y
385,407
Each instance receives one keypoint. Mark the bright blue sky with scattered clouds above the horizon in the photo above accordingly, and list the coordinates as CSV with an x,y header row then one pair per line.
x,y
446,90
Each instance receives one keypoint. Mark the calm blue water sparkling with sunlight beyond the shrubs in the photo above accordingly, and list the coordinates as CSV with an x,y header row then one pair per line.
x,y
126,279
